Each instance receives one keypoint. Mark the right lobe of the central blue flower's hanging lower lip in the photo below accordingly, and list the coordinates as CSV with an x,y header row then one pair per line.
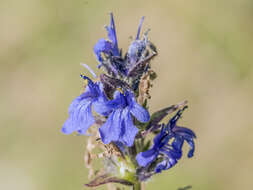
x,y
128,130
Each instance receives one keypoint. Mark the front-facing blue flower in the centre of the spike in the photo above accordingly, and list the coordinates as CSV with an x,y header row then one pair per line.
x,y
119,125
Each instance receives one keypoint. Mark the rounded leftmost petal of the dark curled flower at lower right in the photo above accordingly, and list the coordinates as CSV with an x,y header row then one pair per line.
x,y
145,158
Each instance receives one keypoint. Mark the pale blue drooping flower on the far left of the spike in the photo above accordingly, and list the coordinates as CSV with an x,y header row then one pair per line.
x,y
80,114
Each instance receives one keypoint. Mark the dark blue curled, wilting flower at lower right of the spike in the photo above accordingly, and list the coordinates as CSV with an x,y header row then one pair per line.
x,y
168,145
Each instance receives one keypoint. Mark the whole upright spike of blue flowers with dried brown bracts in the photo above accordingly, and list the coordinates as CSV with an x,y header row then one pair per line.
x,y
115,106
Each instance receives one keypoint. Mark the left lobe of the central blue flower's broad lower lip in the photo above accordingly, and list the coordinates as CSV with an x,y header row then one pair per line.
x,y
111,129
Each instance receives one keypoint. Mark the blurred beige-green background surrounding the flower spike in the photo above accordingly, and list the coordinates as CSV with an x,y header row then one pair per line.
x,y
205,56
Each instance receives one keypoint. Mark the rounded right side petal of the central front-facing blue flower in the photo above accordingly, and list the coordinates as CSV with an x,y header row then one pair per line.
x,y
136,109
